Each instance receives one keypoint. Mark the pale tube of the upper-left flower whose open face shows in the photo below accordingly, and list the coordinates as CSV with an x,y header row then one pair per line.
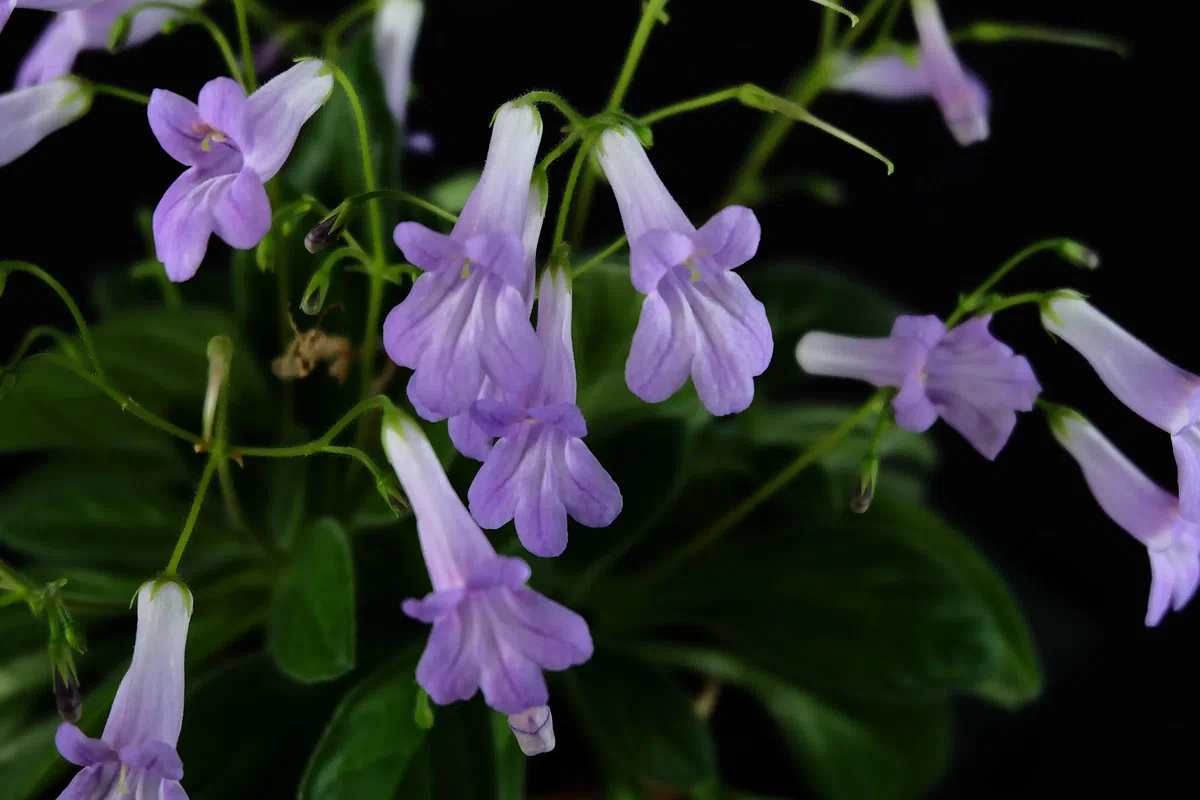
x,y
279,110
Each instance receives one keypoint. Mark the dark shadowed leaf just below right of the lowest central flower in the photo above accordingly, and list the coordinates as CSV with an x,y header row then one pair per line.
x,y
641,721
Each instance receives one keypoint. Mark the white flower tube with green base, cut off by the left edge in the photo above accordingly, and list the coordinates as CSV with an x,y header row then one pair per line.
x,y
29,116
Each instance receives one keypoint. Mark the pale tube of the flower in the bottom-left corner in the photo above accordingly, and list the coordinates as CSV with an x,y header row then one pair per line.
x,y
149,705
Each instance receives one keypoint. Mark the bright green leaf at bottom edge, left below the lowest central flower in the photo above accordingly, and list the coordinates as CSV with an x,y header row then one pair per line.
x,y
370,741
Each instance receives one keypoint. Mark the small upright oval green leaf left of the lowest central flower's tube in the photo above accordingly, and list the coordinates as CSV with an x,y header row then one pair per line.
x,y
311,631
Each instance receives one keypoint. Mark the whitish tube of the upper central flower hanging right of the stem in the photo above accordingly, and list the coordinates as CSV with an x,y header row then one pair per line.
x,y
644,200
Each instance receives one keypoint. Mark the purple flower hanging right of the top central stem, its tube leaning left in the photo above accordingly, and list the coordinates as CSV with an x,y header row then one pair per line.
x,y
699,318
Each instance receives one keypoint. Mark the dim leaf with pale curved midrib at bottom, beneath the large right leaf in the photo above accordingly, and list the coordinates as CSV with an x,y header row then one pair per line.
x,y
850,750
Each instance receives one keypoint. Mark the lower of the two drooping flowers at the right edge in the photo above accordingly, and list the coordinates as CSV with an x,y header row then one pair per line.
x,y
1148,513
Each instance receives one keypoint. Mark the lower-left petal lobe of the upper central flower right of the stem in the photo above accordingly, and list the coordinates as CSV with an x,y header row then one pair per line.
x,y
662,352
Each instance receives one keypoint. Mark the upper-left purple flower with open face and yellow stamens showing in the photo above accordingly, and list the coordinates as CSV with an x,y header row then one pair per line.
x,y
232,146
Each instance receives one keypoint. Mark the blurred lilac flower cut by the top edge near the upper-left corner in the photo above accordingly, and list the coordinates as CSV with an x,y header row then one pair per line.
x,y
87,29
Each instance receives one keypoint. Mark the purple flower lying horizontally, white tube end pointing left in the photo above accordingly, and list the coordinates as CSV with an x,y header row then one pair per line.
x,y
965,376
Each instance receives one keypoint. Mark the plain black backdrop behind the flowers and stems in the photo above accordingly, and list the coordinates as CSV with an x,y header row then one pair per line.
x,y
1084,145
